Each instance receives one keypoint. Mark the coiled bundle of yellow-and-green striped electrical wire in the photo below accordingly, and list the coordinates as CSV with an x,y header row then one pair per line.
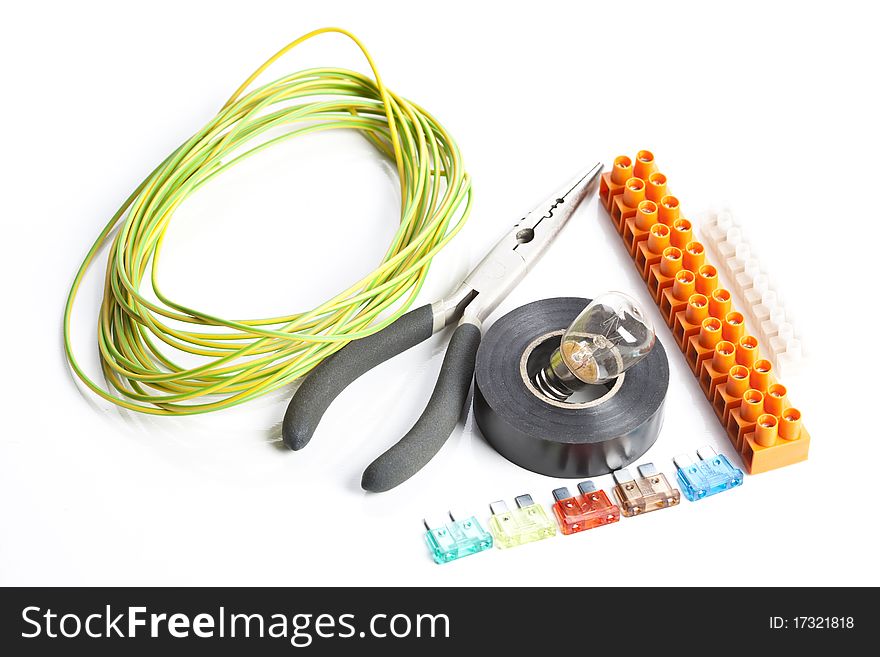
x,y
233,361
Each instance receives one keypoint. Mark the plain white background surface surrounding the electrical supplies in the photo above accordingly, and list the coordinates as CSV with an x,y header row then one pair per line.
x,y
771,107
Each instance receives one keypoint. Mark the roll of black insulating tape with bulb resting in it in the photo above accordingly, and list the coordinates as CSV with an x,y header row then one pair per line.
x,y
561,439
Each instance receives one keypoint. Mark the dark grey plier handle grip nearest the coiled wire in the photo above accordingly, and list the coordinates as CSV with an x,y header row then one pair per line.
x,y
334,374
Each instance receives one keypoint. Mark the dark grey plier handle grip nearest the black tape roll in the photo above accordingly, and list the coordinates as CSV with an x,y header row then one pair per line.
x,y
412,452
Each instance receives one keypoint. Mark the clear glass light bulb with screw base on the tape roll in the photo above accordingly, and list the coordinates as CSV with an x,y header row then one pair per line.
x,y
611,335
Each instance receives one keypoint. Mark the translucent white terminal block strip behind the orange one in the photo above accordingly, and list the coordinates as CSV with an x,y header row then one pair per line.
x,y
727,246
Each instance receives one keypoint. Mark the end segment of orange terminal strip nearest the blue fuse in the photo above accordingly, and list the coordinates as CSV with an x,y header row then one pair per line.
x,y
775,444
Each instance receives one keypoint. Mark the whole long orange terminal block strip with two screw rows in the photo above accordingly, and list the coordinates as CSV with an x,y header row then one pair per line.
x,y
711,333
